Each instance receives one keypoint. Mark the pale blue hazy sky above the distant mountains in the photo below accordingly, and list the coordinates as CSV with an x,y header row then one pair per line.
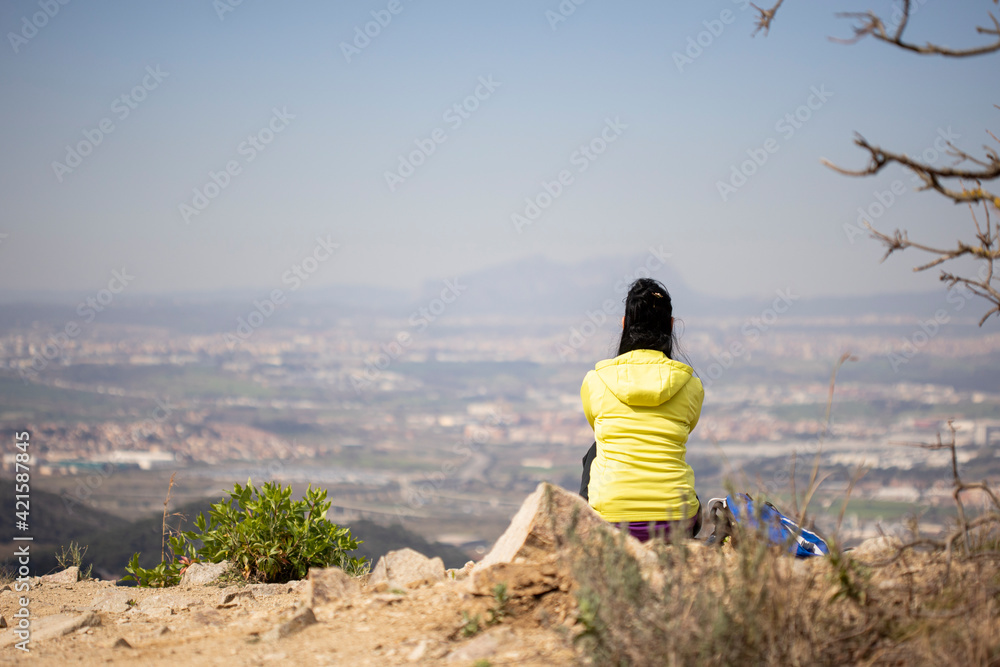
x,y
323,174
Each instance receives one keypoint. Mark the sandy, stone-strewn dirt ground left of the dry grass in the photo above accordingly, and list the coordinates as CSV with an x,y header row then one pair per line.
x,y
212,625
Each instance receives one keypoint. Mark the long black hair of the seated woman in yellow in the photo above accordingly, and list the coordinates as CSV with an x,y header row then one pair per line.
x,y
648,321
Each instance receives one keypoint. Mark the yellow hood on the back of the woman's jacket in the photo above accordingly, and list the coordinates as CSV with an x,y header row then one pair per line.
x,y
643,378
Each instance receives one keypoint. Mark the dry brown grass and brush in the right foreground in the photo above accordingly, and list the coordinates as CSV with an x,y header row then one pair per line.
x,y
923,601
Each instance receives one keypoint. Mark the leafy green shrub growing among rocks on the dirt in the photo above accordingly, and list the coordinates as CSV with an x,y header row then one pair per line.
x,y
265,534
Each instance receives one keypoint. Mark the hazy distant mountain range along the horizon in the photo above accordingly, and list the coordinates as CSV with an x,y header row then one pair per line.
x,y
526,288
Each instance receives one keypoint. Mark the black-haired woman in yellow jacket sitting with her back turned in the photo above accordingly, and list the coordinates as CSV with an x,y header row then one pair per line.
x,y
642,405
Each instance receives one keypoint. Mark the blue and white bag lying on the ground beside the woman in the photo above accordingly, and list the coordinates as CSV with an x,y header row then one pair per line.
x,y
741,510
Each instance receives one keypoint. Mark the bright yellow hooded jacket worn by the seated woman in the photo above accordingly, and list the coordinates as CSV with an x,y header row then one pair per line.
x,y
642,407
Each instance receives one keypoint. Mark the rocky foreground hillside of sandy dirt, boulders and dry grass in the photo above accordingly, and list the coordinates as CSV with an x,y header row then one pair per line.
x,y
559,587
